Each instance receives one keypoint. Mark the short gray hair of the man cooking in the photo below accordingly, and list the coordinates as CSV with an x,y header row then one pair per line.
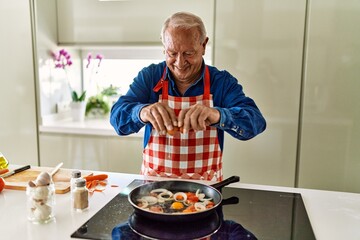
x,y
184,20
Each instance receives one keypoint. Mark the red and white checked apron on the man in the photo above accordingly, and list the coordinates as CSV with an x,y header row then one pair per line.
x,y
194,155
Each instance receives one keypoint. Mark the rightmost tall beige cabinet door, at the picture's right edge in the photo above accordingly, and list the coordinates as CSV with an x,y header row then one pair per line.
x,y
330,137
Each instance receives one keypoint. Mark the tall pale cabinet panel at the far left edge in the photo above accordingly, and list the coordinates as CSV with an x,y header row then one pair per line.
x,y
18,105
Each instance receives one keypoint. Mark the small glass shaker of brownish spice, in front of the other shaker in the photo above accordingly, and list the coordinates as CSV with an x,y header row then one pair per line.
x,y
80,196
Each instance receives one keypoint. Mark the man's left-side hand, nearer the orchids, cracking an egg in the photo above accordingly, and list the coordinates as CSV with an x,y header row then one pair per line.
x,y
160,115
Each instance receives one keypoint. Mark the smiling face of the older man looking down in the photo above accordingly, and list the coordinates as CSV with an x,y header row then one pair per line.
x,y
184,51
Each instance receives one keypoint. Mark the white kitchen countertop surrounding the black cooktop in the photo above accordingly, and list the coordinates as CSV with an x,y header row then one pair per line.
x,y
333,215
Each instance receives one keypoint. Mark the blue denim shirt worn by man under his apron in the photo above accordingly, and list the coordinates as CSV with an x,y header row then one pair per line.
x,y
240,117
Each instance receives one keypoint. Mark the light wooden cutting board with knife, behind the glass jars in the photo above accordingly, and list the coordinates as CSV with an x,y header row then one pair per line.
x,y
61,179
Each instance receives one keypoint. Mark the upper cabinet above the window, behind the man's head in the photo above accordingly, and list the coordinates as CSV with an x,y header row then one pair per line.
x,y
114,22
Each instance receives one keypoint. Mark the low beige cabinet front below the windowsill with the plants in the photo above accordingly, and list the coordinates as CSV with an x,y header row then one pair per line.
x,y
102,153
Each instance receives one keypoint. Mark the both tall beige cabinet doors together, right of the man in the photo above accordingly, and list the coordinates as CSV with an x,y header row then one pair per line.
x,y
307,90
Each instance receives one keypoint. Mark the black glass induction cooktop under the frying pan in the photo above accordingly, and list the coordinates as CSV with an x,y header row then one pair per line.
x,y
258,214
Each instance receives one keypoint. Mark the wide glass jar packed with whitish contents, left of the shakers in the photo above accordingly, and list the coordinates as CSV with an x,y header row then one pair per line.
x,y
41,199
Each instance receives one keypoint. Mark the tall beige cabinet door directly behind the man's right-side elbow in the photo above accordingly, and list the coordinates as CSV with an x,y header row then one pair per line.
x,y
260,43
